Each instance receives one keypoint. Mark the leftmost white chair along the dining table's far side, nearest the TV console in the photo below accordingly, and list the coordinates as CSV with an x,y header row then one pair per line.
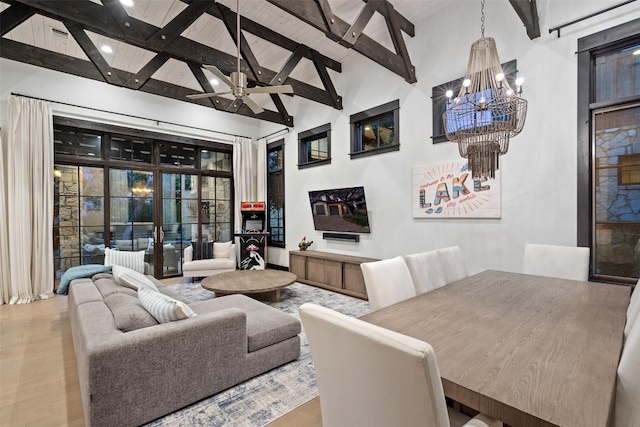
x,y
387,282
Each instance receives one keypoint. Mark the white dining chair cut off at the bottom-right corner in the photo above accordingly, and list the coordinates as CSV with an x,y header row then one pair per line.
x,y
627,405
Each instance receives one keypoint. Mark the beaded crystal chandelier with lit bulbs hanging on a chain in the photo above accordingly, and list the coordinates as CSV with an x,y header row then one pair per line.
x,y
486,112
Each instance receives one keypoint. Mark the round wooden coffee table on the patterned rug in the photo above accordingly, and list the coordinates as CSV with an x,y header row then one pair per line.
x,y
260,284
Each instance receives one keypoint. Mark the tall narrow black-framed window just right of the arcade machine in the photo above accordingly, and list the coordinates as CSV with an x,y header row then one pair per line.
x,y
275,193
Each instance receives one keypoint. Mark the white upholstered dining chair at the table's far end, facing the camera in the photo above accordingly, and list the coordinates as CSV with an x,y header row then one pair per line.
x,y
563,262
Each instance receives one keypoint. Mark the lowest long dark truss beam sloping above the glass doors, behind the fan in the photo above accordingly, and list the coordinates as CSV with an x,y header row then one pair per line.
x,y
79,67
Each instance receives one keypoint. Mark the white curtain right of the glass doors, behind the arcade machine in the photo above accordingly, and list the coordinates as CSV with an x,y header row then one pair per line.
x,y
244,174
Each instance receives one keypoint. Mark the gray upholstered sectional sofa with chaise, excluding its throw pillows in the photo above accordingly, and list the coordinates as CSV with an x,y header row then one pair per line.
x,y
133,370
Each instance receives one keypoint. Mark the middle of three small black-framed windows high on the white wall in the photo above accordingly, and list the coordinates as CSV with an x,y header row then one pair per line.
x,y
376,130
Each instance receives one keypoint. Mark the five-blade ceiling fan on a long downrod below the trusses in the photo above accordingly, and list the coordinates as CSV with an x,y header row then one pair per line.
x,y
238,80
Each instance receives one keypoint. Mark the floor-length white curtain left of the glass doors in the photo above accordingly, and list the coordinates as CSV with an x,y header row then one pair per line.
x,y
28,161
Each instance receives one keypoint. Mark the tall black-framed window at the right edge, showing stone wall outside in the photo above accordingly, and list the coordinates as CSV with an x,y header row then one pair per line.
x,y
608,125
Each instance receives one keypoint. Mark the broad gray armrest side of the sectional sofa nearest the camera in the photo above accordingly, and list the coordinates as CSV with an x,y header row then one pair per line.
x,y
169,365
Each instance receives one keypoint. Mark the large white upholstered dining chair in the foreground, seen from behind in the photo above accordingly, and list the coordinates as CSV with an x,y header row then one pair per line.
x,y
370,376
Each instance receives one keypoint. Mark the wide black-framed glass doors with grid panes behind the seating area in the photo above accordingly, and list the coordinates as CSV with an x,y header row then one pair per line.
x,y
136,192
